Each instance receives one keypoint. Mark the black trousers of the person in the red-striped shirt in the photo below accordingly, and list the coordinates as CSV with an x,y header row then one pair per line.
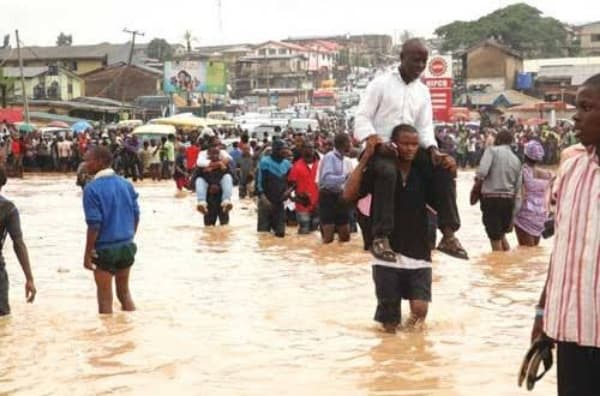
x,y
578,370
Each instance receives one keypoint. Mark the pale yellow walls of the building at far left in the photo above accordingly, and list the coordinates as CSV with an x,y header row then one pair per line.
x,y
46,82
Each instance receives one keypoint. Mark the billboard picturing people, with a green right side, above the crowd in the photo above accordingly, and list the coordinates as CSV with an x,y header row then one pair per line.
x,y
195,76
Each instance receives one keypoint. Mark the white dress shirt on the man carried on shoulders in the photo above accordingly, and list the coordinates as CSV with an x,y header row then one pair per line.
x,y
388,101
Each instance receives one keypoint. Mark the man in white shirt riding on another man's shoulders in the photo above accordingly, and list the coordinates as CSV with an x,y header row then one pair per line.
x,y
401,98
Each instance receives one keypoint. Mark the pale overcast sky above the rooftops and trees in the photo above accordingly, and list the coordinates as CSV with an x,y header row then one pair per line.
x,y
251,21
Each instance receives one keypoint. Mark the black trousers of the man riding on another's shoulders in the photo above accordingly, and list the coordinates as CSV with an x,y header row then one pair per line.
x,y
384,187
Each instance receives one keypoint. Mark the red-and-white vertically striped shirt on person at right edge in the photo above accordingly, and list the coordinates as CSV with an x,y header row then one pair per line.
x,y
572,310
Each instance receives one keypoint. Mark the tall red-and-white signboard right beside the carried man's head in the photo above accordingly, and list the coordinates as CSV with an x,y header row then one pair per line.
x,y
438,78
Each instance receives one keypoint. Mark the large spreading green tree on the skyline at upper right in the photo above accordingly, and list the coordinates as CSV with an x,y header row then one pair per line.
x,y
518,26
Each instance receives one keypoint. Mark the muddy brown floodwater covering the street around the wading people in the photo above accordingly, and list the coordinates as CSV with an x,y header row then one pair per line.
x,y
224,311
